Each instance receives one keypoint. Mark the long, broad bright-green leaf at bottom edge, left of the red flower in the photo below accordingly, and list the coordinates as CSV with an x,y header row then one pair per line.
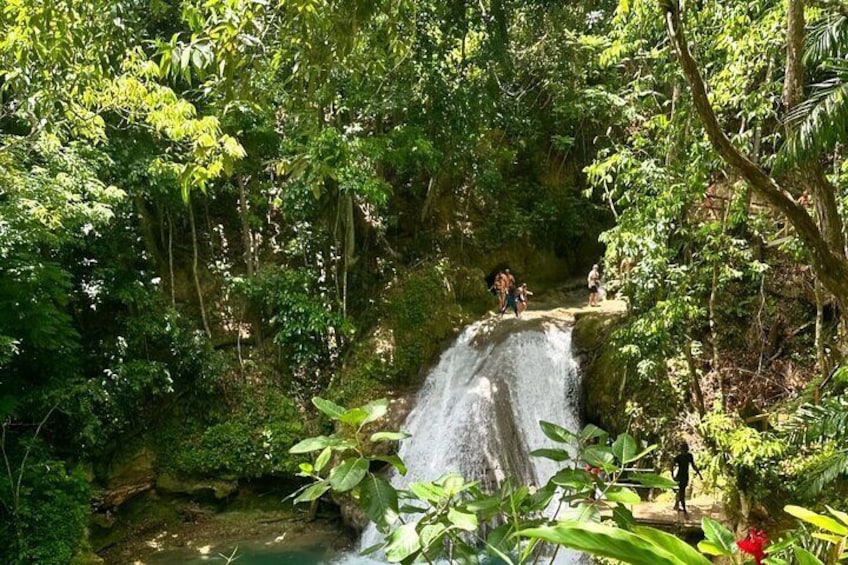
x,y
604,541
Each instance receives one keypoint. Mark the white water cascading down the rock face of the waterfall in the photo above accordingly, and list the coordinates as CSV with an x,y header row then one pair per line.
x,y
479,409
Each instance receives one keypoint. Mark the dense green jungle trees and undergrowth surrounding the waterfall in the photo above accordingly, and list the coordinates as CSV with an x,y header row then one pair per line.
x,y
212,211
